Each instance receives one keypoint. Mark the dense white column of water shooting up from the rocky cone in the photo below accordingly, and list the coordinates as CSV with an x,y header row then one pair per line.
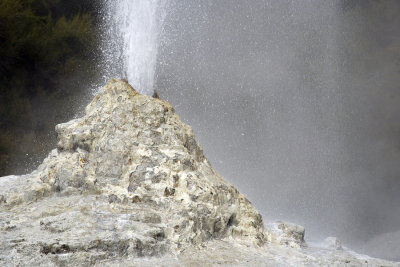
x,y
136,25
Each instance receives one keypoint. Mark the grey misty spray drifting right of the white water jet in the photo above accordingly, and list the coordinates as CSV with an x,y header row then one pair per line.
x,y
296,104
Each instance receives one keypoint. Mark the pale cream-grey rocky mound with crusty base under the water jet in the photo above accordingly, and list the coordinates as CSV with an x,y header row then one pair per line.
x,y
129,185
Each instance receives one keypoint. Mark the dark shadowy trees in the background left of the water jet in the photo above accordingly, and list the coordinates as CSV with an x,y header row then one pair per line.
x,y
43,44
